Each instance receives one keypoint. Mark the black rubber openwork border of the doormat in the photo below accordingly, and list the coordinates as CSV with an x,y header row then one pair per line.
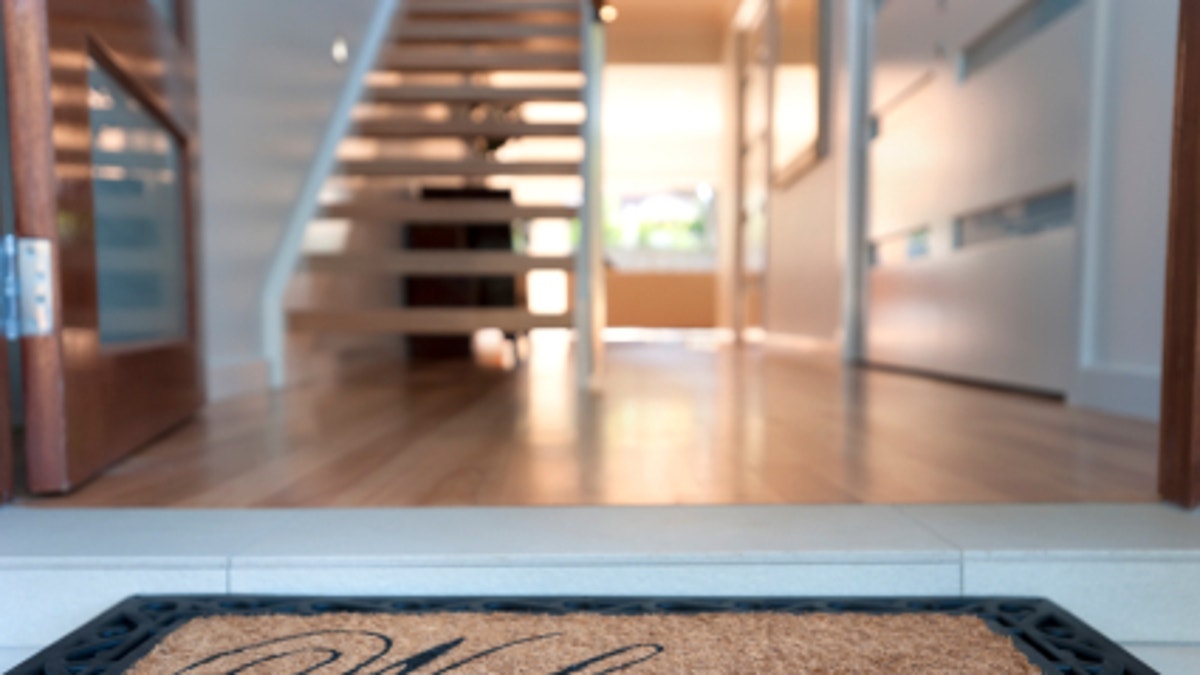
x,y
1053,638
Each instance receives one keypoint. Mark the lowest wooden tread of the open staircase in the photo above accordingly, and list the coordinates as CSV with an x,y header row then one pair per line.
x,y
423,321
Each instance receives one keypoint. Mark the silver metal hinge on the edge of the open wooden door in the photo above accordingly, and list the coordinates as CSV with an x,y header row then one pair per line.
x,y
28,288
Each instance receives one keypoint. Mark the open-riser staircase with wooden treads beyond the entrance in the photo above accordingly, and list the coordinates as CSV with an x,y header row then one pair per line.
x,y
449,94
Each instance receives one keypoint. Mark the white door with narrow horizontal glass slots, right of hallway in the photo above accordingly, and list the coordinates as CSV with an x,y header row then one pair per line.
x,y
1001,312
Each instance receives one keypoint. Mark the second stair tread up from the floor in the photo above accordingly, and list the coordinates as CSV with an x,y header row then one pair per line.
x,y
437,264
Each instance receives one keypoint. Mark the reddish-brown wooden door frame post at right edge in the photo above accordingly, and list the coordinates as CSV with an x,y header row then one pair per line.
x,y
1179,462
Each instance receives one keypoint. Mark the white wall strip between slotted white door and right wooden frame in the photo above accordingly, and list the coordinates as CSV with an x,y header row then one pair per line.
x,y
1124,264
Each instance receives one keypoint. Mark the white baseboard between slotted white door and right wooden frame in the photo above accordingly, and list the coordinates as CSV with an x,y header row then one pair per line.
x,y
1119,391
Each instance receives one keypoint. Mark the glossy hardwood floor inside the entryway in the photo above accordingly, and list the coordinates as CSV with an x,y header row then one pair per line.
x,y
676,426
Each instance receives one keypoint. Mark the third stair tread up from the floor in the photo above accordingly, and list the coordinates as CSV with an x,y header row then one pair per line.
x,y
443,211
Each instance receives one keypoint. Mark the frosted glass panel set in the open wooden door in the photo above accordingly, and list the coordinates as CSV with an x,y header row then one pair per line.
x,y
139,212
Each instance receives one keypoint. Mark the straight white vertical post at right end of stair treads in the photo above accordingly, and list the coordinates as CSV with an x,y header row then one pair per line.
x,y
590,270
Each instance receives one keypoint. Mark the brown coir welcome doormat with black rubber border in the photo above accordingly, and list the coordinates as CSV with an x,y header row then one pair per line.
x,y
226,635
